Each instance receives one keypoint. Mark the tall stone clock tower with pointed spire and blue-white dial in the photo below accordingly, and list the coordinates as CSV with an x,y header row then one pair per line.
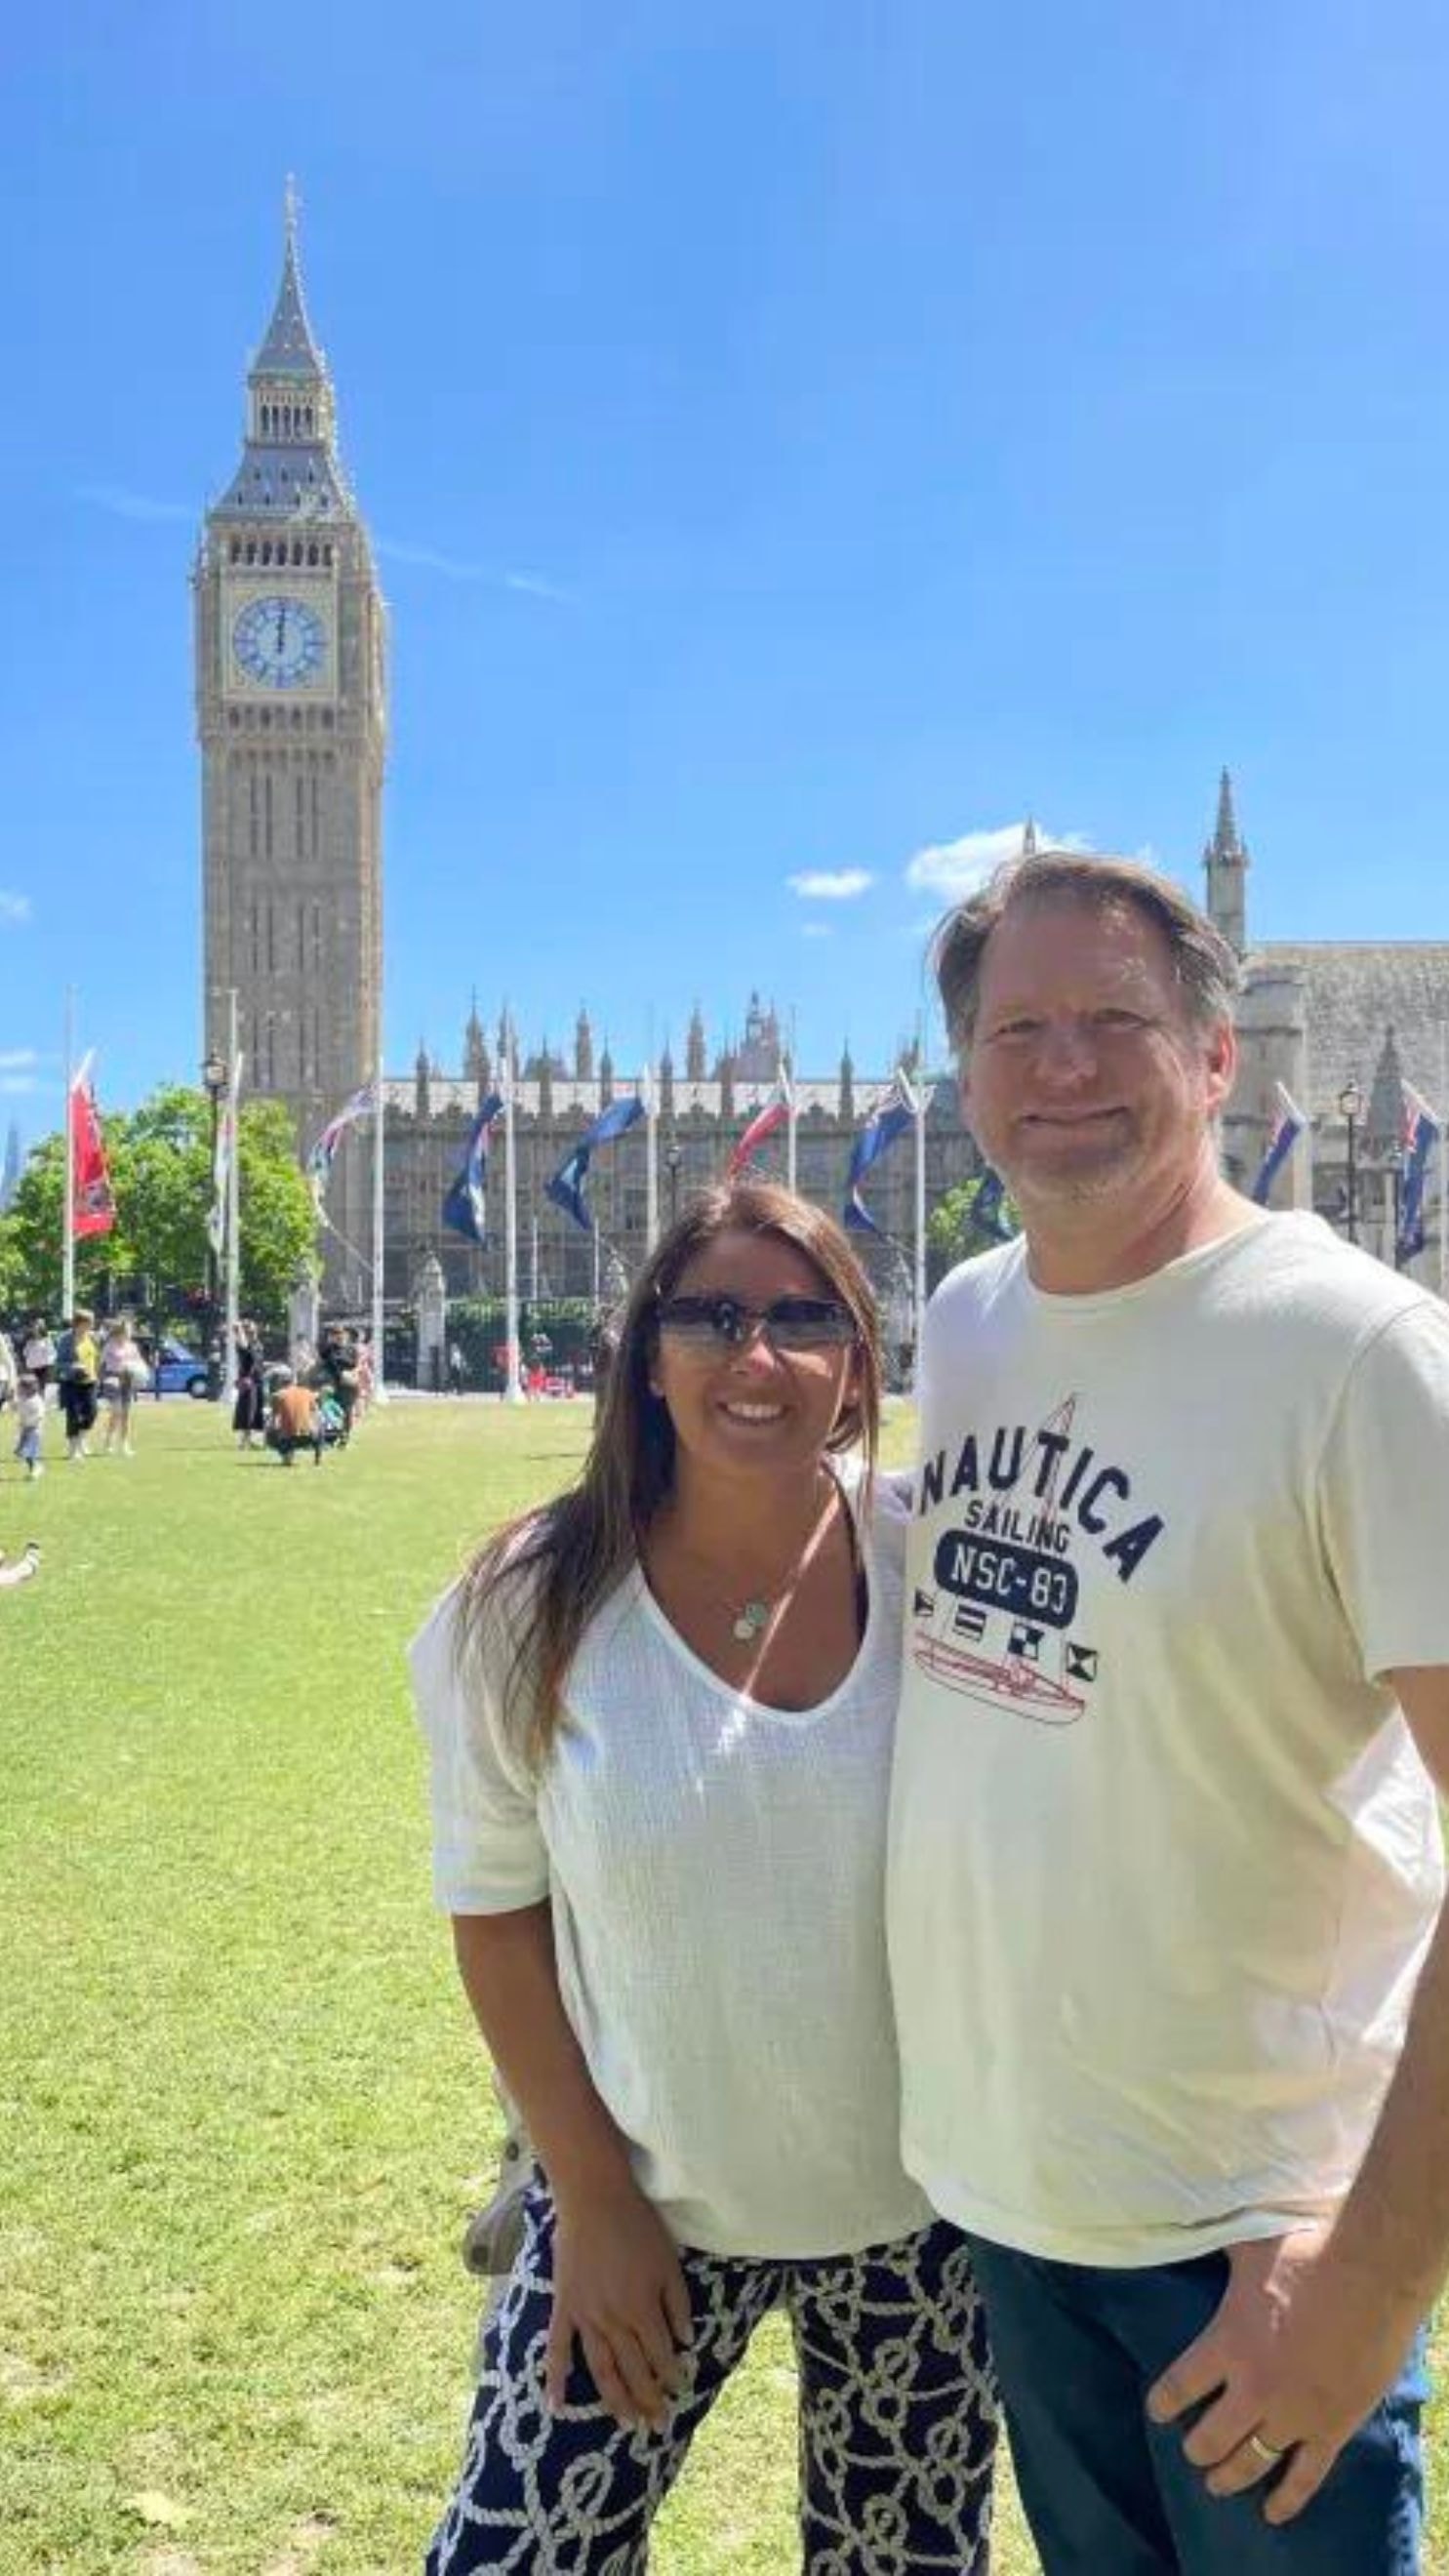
x,y
293,720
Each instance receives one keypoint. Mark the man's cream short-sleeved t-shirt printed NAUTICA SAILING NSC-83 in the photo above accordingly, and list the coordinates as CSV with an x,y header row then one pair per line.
x,y
1164,1856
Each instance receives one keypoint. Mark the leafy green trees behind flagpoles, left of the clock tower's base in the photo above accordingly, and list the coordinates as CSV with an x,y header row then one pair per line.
x,y
161,1173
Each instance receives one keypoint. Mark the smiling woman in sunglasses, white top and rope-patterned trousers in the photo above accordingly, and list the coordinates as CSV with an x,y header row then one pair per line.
x,y
661,1722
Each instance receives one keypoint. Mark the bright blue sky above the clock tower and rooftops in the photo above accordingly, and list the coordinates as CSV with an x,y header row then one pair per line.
x,y
795,439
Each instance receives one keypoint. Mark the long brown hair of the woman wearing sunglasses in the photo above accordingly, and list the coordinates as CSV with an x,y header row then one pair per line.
x,y
548,1573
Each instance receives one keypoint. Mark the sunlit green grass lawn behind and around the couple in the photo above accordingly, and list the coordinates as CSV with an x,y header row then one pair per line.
x,y
244,2114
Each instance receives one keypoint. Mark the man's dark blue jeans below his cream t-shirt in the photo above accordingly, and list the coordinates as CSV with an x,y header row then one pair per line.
x,y
1113,2495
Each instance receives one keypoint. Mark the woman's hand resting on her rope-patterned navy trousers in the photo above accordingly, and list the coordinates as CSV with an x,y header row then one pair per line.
x,y
620,2291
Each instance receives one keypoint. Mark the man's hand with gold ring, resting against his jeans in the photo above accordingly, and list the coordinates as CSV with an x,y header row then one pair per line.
x,y
1296,2358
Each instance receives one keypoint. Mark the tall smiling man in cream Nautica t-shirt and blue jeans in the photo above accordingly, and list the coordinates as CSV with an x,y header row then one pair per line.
x,y
1167,1884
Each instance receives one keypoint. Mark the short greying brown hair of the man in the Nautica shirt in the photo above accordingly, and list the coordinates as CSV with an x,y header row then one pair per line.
x,y
1203,962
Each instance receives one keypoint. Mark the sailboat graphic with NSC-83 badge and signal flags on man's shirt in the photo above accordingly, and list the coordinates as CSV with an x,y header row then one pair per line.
x,y
997,1619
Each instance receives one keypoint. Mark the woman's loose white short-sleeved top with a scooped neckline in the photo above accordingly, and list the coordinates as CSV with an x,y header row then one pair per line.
x,y
715,1874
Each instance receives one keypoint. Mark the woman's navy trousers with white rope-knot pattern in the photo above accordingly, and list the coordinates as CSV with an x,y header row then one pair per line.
x,y
896,2418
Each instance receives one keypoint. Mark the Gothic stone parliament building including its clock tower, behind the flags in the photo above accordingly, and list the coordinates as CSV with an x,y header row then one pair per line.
x,y
293,725
